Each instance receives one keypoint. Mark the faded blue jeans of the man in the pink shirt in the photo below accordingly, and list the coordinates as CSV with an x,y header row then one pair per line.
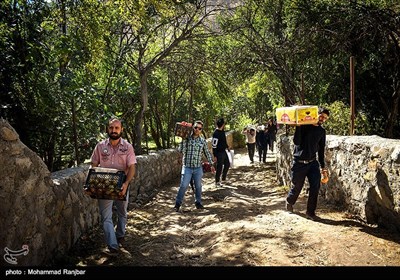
x,y
106,207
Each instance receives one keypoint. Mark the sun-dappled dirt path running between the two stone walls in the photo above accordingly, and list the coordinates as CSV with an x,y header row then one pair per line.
x,y
243,224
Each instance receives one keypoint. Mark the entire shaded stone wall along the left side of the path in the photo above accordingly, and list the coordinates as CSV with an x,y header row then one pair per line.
x,y
48,212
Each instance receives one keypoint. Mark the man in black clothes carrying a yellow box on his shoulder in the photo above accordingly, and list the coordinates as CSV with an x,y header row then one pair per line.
x,y
309,140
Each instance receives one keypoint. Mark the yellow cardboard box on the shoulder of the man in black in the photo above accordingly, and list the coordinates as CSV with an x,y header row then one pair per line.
x,y
297,115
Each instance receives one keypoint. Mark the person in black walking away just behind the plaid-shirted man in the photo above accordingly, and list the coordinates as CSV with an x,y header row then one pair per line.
x,y
220,147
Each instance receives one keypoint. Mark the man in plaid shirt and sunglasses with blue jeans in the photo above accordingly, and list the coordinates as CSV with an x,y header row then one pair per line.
x,y
192,150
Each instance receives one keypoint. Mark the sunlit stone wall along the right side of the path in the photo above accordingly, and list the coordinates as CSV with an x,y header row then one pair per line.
x,y
364,176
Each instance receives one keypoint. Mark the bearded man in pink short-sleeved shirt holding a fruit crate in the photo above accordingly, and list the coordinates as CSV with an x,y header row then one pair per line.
x,y
115,152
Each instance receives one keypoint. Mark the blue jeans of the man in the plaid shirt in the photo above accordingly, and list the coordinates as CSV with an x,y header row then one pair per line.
x,y
186,175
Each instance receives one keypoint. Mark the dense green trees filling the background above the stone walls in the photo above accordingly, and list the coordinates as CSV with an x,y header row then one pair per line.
x,y
67,66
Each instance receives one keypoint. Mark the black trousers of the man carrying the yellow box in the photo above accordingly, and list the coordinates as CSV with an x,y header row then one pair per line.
x,y
299,172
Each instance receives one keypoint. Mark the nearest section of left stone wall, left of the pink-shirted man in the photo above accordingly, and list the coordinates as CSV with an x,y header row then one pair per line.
x,y
47,212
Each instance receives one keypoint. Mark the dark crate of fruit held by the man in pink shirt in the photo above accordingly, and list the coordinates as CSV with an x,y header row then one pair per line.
x,y
105,183
